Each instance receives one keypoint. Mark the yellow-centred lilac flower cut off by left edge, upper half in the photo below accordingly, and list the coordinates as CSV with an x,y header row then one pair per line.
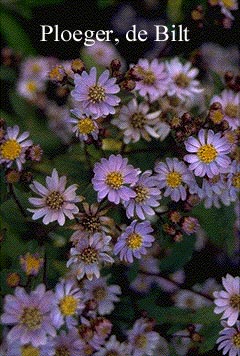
x,y
13,148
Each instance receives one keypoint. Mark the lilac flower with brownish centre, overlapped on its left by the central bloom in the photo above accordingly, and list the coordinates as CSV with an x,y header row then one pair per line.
x,y
147,197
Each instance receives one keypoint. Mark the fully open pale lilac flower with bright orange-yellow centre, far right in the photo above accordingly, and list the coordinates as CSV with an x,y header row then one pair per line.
x,y
208,153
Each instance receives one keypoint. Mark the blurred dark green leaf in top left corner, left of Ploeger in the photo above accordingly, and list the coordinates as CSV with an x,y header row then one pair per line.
x,y
15,35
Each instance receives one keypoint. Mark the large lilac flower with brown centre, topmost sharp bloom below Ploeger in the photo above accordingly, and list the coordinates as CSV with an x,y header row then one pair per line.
x,y
96,96
